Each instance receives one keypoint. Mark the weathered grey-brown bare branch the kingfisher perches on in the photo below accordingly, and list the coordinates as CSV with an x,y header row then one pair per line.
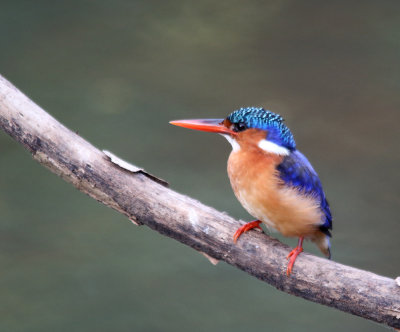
x,y
145,200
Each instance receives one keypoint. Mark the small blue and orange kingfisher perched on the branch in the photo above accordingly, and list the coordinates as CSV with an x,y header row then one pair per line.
x,y
272,180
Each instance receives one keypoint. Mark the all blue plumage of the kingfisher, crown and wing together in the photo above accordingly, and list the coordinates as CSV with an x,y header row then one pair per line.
x,y
295,170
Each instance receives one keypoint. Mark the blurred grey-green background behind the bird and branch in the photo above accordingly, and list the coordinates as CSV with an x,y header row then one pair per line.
x,y
117,72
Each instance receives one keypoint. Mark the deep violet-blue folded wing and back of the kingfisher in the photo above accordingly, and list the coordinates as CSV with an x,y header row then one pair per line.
x,y
296,171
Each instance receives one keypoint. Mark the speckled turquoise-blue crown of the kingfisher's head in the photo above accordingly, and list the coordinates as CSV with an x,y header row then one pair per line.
x,y
256,117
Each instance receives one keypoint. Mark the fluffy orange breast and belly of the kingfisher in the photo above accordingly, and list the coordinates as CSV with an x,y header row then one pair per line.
x,y
259,189
